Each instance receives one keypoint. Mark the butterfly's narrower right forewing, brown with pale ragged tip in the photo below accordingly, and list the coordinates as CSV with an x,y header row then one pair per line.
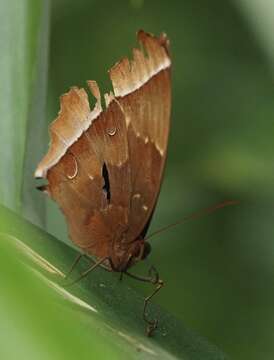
x,y
143,90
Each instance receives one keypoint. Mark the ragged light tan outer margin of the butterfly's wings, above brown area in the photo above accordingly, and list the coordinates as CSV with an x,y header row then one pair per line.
x,y
75,116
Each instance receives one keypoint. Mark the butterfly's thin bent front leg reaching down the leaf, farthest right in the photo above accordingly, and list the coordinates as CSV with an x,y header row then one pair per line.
x,y
154,279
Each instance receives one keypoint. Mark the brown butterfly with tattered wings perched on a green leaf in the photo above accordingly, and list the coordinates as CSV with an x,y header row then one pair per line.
x,y
104,166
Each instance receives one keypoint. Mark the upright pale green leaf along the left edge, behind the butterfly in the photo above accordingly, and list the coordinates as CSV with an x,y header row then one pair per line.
x,y
24,29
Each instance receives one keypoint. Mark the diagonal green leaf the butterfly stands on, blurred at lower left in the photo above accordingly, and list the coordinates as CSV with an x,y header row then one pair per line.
x,y
99,315
